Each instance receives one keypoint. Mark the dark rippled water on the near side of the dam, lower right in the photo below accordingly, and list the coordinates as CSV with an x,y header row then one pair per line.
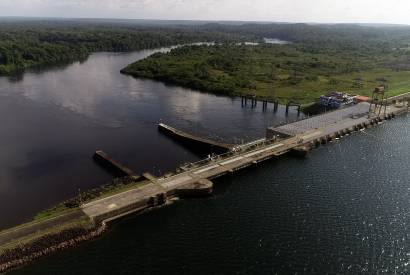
x,y
343,210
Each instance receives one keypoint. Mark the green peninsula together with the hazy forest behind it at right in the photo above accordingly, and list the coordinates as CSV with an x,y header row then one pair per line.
x,y
319,59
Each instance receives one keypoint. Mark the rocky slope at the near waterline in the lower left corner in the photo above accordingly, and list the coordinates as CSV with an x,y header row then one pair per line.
x,y
46,245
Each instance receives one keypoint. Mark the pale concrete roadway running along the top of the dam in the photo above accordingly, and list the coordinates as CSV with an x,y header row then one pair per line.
x,y
218,166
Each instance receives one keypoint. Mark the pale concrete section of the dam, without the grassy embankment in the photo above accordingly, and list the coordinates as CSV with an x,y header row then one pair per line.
x,y
195,178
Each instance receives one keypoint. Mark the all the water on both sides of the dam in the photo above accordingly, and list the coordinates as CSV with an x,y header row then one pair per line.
x,y
344,209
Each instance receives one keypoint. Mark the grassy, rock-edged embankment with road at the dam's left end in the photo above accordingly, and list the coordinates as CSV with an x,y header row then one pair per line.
x,y
56,229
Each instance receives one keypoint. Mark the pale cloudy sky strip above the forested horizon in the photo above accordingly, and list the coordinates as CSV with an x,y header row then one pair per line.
x,y
320,11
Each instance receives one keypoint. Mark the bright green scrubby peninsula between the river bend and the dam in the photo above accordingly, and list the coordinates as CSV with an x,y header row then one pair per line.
x,y
285,72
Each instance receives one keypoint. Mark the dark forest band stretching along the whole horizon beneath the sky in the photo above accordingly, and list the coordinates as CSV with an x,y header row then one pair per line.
x,y
27,43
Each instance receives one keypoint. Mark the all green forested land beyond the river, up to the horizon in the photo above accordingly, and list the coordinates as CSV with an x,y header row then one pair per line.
x,y
318,58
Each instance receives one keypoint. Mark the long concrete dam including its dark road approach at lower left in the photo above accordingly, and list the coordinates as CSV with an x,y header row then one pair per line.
x,y
195,179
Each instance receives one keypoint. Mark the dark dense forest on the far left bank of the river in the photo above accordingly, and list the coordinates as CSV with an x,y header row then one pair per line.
x,y
27,44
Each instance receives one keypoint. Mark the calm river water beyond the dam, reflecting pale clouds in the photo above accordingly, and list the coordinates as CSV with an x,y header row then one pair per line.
x,y
53,120
